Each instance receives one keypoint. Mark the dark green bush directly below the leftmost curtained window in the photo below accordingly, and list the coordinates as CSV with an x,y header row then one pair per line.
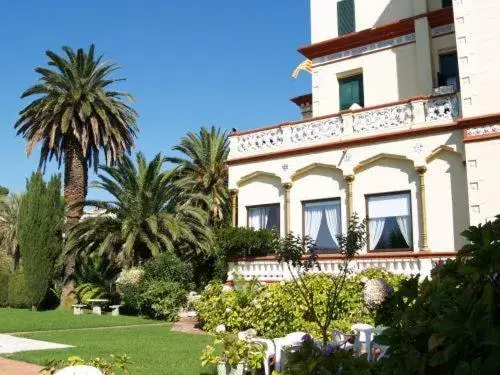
x,y
245,242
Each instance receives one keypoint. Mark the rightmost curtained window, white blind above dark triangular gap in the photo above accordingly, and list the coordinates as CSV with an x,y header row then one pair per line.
x,y
389,221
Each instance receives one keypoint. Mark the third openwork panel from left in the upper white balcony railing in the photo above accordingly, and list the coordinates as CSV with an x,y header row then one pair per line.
x,y
383,118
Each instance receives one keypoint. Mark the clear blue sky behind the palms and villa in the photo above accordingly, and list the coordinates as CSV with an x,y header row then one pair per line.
x,y
189,63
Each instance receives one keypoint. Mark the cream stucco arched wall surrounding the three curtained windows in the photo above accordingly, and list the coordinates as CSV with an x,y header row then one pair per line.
x,y
384,175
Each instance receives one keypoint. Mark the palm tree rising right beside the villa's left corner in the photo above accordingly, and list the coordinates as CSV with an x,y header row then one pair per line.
x,y
202,169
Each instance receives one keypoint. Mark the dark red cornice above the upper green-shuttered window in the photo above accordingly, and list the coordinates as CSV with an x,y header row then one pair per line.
x,y
377,34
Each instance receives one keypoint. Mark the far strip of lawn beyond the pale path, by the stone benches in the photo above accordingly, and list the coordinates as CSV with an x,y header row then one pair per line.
x,y
17,320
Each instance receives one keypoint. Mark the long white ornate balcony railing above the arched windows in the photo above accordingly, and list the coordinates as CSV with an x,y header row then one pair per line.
x,y
347,125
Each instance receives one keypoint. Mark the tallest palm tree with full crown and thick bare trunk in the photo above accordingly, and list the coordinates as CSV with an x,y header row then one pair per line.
x,y
74,116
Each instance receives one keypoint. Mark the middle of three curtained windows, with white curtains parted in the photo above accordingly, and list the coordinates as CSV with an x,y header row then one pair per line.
x,y
322,223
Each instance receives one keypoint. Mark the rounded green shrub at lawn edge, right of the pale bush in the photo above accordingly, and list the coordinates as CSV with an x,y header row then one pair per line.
x,y
163,299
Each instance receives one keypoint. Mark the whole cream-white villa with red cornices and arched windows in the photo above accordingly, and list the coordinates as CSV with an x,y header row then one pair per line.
x,y
402,127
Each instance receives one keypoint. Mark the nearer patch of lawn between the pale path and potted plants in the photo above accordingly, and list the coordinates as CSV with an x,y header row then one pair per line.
x,y
152,350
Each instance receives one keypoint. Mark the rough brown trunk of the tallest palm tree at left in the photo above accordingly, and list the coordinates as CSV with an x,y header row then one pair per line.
x,y
75,192
